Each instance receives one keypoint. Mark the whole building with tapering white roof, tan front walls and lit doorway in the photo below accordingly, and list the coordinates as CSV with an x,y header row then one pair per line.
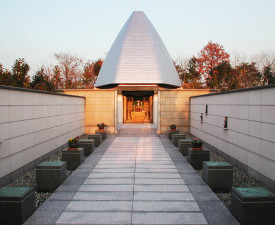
x,y
138,83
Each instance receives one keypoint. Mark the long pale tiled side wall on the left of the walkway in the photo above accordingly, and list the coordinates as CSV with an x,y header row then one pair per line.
x,y
32,125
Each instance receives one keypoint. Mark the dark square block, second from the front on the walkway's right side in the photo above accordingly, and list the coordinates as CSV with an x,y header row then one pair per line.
x,y
218,175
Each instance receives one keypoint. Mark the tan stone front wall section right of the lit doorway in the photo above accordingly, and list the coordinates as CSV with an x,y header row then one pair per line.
x,y
174,108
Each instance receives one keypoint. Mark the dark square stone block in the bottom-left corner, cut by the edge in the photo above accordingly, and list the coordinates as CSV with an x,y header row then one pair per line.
x,y
16,205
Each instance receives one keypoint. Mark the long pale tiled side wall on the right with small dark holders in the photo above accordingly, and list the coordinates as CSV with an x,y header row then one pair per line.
x,y
249,140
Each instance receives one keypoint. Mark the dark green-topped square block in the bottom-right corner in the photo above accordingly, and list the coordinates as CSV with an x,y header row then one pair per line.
x,y
253,205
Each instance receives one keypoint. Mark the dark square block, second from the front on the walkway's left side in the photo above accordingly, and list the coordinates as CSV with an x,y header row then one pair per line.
x,y
50,175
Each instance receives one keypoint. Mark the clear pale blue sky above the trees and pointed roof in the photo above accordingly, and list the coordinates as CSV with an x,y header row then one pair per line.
x,y
36,29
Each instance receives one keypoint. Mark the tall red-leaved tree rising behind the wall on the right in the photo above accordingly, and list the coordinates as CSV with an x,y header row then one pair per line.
x,y
209,57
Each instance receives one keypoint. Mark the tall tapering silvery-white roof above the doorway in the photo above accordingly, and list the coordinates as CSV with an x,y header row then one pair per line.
x,y
138,56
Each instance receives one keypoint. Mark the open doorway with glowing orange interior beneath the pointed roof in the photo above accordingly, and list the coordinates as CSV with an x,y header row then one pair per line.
x,y
138,106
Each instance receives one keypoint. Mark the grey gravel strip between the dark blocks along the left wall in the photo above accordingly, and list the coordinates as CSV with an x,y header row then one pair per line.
x,y
29,180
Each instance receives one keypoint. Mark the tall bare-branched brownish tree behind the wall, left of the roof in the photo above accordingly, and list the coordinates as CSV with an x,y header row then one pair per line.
x,y
70,69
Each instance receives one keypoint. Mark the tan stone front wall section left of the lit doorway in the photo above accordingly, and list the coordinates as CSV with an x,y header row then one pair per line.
x,y
100,106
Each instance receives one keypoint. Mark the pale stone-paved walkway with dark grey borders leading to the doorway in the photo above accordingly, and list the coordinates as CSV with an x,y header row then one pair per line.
x,y
133,180
